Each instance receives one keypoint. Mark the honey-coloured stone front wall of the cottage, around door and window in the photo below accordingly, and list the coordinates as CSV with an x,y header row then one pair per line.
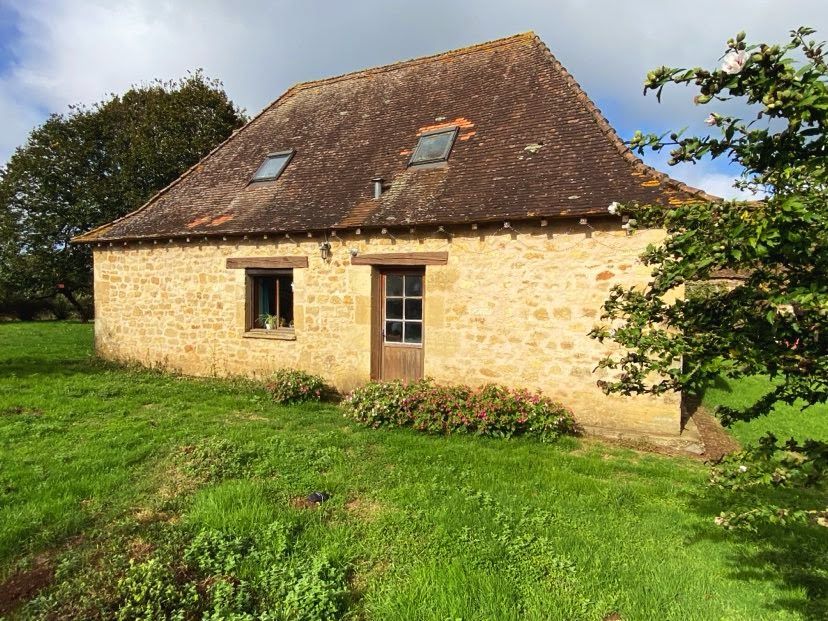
x,y
510,306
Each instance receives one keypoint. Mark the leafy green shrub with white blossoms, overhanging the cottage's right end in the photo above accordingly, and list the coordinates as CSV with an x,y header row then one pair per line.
x,y
775,322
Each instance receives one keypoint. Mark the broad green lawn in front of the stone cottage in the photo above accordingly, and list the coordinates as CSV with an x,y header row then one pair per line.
x,y
132,494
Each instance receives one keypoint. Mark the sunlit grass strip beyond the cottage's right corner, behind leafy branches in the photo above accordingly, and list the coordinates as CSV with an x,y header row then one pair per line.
x,y
784,422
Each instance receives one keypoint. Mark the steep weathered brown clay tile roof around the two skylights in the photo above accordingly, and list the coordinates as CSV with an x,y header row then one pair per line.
x,y
531,144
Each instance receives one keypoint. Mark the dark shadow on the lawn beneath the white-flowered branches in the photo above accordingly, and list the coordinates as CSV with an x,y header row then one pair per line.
x,y
793,557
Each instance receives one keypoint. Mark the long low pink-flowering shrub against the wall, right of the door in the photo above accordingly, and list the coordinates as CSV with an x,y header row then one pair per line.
x,y
491,410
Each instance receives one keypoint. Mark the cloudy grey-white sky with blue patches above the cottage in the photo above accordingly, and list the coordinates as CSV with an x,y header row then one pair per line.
x,y
57,52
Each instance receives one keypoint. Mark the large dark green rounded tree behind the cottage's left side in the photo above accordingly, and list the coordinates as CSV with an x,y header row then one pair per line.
x,y
92,165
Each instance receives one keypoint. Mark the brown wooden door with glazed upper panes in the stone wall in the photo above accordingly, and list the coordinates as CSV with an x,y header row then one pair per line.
x,y
398,324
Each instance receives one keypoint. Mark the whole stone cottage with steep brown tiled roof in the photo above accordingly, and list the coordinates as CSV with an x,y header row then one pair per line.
x,y
444,217
